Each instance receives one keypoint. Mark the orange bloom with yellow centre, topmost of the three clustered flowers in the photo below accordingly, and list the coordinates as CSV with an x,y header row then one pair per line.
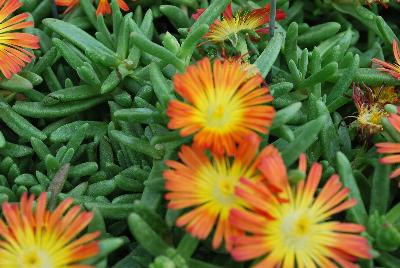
x,y
223,105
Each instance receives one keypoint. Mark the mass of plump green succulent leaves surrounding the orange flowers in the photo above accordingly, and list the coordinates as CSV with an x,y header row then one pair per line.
x,y
91,108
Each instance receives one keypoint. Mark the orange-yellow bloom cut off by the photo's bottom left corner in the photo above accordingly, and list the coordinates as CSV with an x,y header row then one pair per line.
x,y
32,238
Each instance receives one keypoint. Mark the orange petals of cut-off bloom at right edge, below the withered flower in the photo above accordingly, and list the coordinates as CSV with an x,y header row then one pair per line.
x,y
391,148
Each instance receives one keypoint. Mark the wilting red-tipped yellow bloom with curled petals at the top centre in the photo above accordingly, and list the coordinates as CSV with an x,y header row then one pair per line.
x,y
230,25
